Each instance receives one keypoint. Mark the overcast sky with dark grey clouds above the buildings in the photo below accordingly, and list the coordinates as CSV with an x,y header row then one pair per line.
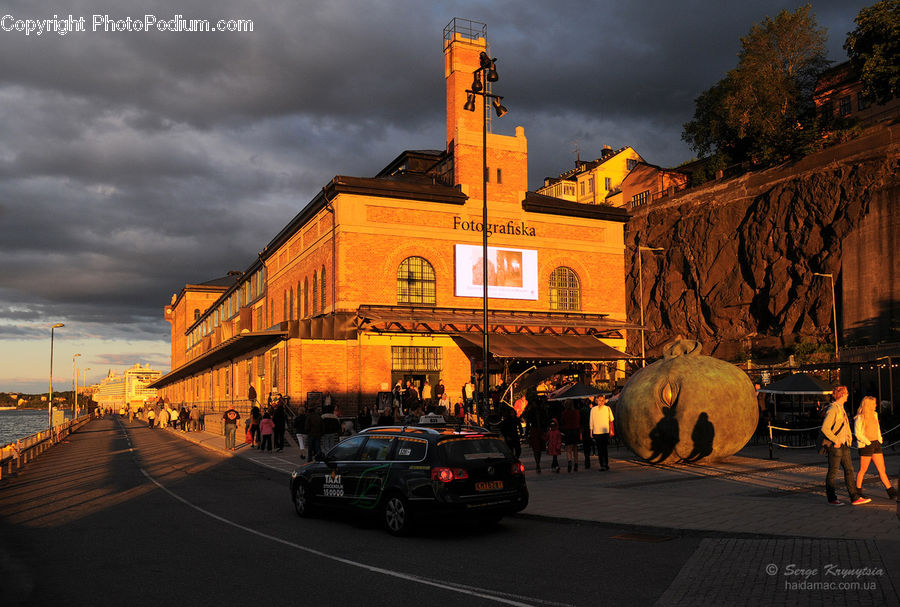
x,y
134,162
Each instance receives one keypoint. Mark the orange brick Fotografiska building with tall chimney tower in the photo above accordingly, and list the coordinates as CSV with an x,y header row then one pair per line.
x,y
379,278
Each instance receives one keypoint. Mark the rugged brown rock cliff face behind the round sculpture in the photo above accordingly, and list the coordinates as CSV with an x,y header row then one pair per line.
x,y
737,270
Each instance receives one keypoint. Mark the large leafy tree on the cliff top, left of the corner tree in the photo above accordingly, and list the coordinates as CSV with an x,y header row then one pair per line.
x,y
762,111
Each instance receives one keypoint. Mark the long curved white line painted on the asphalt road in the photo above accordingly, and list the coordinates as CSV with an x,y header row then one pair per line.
x,y
482,593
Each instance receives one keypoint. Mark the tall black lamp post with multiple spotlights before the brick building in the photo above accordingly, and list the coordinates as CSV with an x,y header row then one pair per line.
x,y
486,72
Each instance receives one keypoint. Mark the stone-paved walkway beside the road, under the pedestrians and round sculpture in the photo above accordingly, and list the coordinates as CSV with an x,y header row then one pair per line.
x,y
769,535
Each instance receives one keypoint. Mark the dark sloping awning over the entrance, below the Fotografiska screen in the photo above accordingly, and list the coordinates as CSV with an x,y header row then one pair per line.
x,y
580,348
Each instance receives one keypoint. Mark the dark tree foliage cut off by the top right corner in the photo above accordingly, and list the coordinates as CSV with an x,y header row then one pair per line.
x,y
874,50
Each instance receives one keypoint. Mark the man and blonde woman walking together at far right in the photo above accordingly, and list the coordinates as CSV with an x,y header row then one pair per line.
x,y
838,435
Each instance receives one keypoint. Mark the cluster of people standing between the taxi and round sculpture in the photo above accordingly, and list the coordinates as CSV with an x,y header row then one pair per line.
x,y
588,423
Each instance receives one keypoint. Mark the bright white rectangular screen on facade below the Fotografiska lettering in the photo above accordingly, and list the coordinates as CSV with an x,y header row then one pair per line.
x,y
512,273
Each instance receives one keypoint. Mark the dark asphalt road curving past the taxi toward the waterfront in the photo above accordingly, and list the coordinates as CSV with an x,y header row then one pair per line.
x,y
124,515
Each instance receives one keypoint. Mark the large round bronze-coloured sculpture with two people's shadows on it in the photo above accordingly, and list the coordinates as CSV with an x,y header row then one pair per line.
x,y
687,407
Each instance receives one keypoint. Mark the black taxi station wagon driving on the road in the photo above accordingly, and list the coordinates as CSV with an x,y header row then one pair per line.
x,y
406,473
